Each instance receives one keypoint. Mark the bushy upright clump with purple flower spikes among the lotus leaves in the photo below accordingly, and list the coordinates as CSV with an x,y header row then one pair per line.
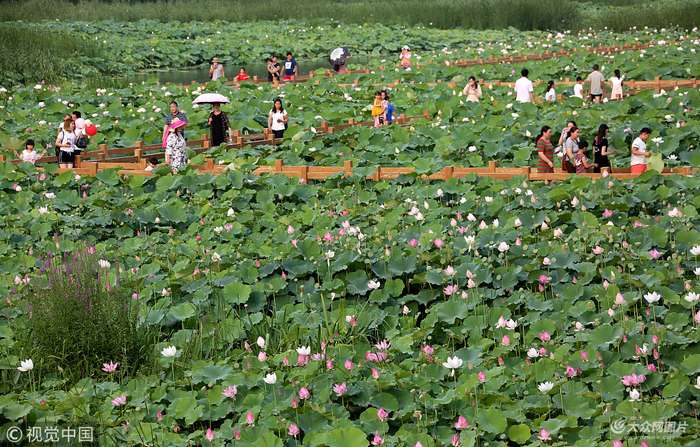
x,y
81,315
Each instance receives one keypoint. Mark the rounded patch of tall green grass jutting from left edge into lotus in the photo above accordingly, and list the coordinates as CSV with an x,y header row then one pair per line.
x,y
28,54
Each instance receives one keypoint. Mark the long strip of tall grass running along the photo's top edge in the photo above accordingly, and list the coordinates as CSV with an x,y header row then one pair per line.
x,y
479,14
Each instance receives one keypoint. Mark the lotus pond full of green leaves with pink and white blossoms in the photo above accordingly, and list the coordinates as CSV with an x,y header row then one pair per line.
x,y
238,310
